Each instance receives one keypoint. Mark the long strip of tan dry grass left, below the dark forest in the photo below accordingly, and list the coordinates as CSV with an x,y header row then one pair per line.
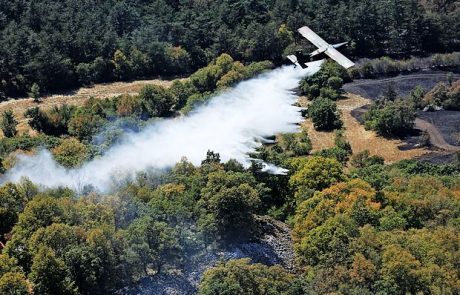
x,y
76,98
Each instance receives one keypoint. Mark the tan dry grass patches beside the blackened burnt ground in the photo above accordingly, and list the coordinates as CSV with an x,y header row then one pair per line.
x,y
359,138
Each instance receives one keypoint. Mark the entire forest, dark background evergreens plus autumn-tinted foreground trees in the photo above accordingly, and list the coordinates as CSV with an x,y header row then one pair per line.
x,y
359,225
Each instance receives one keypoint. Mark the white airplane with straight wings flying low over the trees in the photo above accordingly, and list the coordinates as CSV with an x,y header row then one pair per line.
x,y
323,48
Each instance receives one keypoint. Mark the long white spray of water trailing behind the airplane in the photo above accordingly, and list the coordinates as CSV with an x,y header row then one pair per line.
x,y
232,124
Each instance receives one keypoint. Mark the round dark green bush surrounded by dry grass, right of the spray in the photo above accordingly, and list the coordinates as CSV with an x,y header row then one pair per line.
x,y
324,114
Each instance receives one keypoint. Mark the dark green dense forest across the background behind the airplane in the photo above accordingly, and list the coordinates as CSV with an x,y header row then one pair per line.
x,y
57,45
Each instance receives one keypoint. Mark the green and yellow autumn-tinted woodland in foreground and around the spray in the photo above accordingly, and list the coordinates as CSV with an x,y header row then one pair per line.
x,y
359,226
